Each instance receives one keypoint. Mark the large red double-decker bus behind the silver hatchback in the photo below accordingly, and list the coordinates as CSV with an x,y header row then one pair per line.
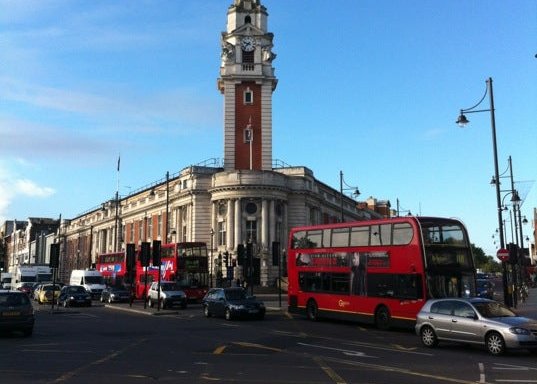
x,y
378,271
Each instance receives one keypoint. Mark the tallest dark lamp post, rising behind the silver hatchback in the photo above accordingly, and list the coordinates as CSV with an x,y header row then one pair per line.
x,y
463,121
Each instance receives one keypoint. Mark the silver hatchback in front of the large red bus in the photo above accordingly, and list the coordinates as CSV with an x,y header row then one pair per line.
x,y
475,321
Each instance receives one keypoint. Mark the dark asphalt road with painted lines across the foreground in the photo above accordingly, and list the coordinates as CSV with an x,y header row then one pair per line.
x,y
104,344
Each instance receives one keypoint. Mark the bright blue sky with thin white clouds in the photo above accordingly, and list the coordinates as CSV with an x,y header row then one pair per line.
x,y
371,88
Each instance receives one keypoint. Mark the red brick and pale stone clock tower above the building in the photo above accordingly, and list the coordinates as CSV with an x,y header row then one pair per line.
x,y
247,81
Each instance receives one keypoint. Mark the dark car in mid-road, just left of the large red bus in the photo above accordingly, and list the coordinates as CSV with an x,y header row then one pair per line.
x,y
232,303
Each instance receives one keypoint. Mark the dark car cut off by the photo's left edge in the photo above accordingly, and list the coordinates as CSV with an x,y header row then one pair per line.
x,y
16,312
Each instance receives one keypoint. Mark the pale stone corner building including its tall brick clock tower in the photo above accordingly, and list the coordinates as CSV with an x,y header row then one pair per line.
x,y
251,199
